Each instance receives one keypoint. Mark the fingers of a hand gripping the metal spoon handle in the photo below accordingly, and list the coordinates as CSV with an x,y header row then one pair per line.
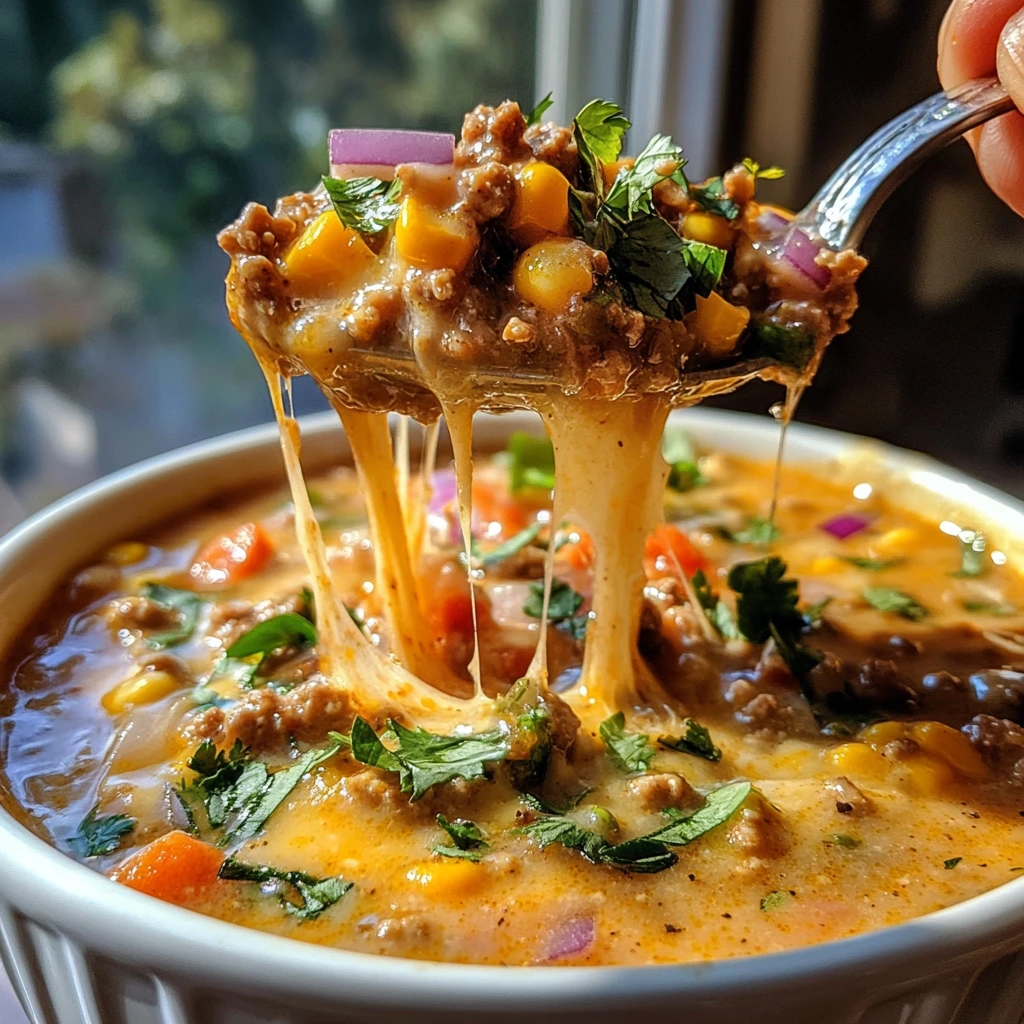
x,y
979,38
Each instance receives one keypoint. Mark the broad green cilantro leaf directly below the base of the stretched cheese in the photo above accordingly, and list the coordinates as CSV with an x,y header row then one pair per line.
x,y
423,759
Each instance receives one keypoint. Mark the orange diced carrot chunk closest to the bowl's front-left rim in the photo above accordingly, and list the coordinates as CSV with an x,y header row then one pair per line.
x,y
177,869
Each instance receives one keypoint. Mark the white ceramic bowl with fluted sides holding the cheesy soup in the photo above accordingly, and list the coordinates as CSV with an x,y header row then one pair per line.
x,y
83,951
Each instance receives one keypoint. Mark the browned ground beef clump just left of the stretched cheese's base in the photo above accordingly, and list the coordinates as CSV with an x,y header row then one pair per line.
x,y
266,720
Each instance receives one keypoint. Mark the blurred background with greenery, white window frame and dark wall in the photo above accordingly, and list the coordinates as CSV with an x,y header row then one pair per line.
x,y
132,131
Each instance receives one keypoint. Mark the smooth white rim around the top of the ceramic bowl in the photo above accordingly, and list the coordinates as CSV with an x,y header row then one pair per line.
x,y
46,885
